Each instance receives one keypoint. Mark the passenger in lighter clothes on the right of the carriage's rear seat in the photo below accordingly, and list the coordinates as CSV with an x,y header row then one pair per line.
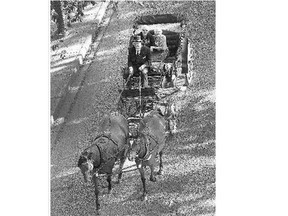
x,y
160,51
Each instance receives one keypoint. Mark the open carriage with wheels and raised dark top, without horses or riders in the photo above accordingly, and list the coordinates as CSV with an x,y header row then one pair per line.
x,y
164,76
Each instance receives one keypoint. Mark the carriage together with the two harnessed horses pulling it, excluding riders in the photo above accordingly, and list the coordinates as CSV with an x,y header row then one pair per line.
x,y
143,111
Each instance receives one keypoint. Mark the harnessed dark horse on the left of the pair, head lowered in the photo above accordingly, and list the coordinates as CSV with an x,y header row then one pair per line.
x,y
106,149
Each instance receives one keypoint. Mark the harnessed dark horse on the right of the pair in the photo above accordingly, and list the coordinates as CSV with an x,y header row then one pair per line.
x,y
149,143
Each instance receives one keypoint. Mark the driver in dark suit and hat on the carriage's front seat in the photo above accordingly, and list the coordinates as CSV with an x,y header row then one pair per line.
x,y
139,58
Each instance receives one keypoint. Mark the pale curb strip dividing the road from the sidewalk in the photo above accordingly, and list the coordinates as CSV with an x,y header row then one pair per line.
x,y
79,60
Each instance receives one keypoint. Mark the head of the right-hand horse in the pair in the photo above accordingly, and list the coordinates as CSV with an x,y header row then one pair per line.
x,y
137,147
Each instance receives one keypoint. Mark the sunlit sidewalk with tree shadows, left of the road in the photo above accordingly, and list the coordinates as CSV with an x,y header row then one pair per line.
x,y
67,58
